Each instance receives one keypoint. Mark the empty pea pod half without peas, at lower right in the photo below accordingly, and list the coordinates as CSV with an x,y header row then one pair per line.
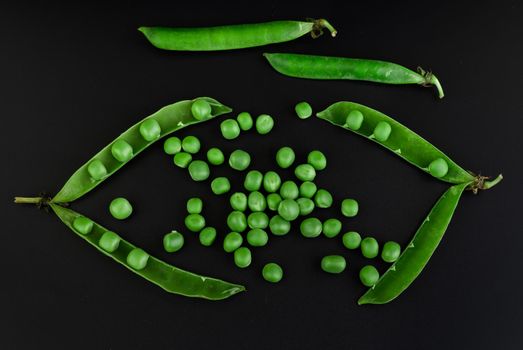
x,y
417,254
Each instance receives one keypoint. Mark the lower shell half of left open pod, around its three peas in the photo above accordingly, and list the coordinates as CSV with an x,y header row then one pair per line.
x,y
168,277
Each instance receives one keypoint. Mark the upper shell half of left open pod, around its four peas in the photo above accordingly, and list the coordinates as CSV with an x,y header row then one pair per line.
x,y
169,119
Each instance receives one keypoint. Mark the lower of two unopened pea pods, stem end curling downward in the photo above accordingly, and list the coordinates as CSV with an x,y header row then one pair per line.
x,y
328,68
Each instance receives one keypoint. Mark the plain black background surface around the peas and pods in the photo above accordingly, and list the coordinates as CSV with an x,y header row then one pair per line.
x,y
73,77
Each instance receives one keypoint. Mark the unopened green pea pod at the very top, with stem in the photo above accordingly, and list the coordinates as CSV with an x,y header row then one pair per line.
x,y
232,37
